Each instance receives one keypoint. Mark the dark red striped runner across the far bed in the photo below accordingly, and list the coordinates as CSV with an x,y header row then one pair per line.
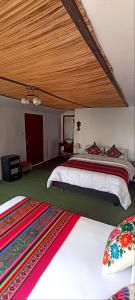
x,y
96,167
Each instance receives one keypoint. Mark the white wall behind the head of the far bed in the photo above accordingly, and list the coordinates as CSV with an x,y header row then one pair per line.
x,y
107,126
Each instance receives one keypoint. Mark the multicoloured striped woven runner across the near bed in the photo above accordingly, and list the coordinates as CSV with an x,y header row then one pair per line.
x,y
31,233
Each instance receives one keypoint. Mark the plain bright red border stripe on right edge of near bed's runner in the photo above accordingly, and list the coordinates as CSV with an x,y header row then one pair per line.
x,y
30,282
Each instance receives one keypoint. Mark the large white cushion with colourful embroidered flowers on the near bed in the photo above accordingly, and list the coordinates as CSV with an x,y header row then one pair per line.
x,y
120,247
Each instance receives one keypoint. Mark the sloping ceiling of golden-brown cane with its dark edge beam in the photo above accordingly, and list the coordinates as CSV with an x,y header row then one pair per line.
x,y
50,44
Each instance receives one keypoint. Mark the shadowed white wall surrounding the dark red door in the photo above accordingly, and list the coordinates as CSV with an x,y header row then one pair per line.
x,y
12,130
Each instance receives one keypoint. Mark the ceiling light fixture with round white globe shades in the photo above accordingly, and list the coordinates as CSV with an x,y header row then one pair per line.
x,y
30,96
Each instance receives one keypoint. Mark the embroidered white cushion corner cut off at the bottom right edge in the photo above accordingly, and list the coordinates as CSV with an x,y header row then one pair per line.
x,y
126,293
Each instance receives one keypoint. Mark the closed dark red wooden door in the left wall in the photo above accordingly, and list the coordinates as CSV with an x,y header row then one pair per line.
x,y
34,138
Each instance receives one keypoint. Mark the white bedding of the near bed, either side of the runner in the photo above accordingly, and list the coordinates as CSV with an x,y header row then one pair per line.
x,y
75,272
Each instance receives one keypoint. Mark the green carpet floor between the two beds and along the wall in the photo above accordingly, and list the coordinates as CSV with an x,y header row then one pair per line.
x,y
33,184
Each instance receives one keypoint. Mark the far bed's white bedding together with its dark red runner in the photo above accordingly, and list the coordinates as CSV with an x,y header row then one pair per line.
x,y
114,179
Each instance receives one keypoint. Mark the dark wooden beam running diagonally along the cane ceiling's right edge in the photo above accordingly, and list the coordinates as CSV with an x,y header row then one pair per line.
x,y
77,18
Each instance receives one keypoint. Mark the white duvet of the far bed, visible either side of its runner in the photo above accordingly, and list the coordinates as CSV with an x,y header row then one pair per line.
x,y
98,181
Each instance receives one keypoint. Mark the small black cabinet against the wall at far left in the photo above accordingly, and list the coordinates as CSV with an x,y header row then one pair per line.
x,y
10,166
